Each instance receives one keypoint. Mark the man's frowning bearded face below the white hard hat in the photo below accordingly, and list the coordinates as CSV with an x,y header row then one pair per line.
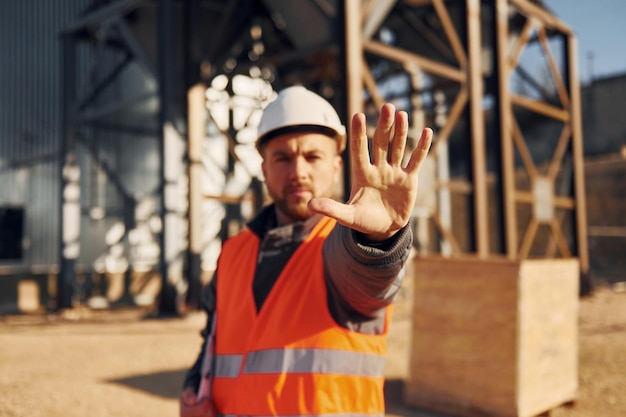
x,y
298,167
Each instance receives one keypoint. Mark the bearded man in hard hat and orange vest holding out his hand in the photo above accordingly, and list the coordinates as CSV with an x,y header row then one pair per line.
x,y
301,297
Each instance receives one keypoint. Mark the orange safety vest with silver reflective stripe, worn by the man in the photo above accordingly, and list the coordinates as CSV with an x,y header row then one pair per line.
x,y
291,358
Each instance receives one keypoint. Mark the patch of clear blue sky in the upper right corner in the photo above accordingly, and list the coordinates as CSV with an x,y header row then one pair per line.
x,y
600,28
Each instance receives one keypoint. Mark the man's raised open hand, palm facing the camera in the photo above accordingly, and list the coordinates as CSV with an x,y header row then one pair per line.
x,y
383,192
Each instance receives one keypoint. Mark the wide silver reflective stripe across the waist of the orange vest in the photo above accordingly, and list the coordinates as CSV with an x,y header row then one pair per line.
x,y
321,361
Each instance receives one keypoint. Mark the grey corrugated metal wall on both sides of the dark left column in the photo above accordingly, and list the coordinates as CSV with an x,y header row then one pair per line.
x,y
119,168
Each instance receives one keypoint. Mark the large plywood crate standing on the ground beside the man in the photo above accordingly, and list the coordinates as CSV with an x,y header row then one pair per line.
x,y
493,338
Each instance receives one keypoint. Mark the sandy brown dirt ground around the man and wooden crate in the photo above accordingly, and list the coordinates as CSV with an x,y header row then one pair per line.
x,y
120,363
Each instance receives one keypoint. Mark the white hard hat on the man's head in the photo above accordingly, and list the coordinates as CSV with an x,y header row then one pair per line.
x,y
299,109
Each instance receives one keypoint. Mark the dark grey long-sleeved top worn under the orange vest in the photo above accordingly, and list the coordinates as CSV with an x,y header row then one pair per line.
x,y
362,278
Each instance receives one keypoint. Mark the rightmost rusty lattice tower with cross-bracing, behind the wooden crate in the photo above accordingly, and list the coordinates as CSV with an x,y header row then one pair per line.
x,y
568,112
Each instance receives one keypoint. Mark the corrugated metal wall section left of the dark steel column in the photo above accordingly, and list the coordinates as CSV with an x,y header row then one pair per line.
x,y
29,118
